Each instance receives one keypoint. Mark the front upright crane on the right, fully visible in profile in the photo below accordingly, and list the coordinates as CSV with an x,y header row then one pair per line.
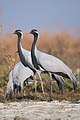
x,y
49,63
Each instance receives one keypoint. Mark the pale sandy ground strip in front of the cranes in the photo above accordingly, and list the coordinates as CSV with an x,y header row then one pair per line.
x,y
32,110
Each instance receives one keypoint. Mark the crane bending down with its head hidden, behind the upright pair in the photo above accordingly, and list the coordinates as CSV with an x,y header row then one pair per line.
x,y
17,76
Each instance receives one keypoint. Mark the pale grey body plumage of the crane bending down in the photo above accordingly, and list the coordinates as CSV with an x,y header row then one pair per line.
x,y
21,73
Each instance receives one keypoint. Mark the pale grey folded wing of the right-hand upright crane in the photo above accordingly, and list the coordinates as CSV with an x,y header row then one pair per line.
x,y
51,63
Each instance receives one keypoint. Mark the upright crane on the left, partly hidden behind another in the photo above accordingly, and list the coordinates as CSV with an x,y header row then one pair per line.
x,y
25,57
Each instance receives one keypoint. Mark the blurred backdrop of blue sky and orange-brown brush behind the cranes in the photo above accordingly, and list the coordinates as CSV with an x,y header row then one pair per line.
x,y
58,22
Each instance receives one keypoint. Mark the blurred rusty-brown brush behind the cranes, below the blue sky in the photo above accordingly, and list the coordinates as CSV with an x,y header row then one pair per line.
x,y
62,45
